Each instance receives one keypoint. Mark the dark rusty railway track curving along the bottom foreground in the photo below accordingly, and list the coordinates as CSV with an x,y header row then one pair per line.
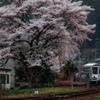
x,y
59,96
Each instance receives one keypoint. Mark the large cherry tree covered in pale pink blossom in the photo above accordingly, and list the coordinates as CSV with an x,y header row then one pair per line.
x,y
35,31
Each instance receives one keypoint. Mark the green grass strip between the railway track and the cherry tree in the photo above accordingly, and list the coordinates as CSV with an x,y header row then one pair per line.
x,y
15,93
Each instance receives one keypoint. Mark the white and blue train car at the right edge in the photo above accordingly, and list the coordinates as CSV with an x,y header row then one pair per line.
x,y
93,72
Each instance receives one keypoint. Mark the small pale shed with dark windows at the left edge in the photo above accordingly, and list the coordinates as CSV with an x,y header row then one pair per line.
x,y
7,75
